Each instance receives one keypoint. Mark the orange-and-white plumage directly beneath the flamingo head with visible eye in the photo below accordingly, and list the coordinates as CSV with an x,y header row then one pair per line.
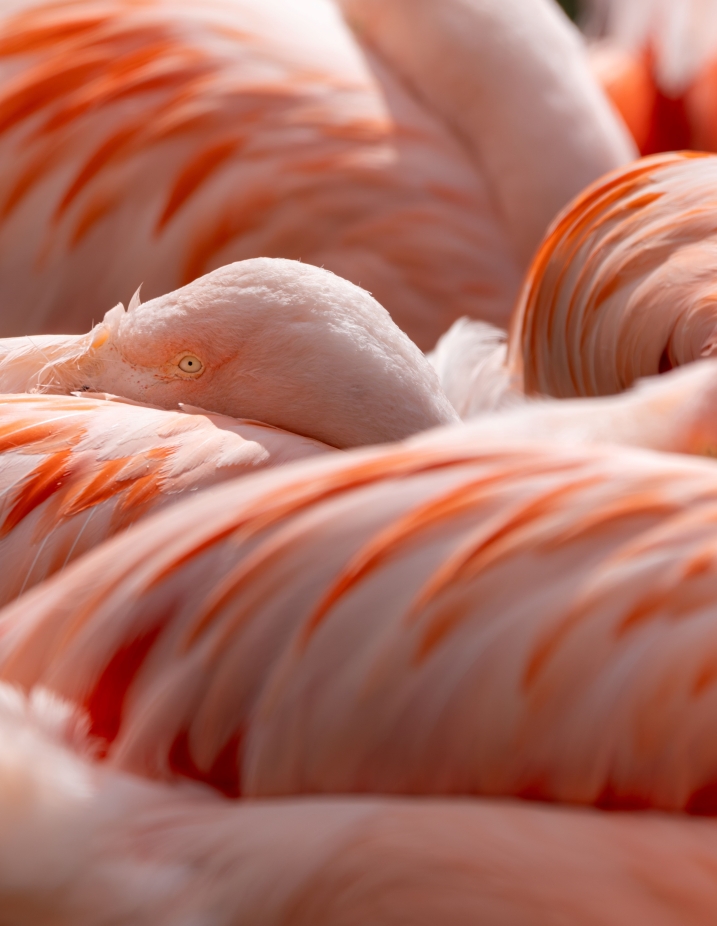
x,y
75,471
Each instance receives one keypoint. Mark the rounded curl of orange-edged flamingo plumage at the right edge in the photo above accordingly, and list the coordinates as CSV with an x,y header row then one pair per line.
x,y
623,285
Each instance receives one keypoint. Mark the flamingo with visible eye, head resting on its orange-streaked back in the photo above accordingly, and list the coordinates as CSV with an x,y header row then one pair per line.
x,y
268,339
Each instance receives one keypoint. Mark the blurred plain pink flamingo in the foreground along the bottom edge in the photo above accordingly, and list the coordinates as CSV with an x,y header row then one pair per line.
x,y
85,844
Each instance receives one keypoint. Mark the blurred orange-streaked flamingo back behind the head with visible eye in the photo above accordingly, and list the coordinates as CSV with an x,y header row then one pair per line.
x,y
150,143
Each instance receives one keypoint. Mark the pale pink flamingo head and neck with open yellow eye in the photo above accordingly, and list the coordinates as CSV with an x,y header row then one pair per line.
x,y
273,340
